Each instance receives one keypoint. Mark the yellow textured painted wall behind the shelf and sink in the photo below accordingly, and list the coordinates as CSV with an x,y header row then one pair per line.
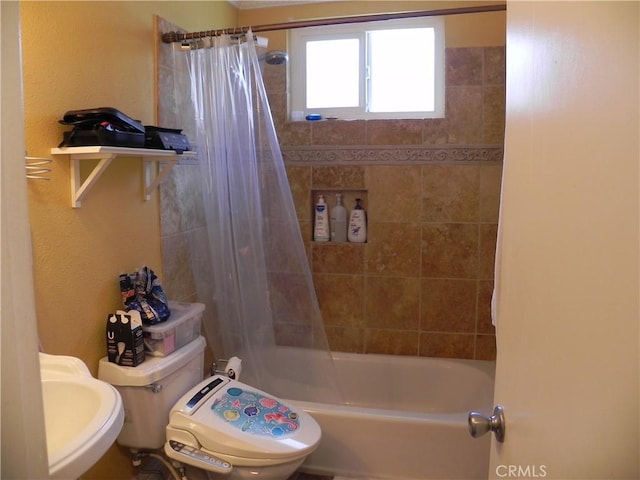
x,y
83,55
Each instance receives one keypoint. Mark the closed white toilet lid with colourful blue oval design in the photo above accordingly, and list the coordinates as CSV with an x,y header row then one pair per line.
x,y
232,418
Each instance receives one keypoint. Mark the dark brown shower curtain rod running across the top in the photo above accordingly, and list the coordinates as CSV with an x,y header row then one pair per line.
x,y
171,37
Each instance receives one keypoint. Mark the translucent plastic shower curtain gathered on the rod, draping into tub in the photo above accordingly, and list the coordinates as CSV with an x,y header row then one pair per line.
x,y
260,279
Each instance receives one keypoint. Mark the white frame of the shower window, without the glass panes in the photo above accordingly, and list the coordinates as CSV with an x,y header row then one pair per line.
x,y
297,39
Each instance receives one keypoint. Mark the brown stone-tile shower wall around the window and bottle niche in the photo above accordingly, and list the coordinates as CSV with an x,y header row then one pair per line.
x,y
422,283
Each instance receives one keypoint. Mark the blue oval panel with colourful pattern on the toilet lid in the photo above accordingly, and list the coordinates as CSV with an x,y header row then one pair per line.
x,y
255,414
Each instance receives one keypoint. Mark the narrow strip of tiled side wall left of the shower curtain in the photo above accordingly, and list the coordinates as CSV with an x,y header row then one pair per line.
x,y
185,252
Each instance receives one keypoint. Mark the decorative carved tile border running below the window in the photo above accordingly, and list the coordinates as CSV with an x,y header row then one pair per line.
x,y
391,155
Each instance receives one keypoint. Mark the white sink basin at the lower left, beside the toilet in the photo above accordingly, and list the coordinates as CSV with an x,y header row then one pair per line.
x,y
83,415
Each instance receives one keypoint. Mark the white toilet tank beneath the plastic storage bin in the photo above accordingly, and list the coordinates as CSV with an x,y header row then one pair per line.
x,y
150,390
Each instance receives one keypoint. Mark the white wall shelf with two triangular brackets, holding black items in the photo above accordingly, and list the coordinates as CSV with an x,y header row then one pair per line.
x,y
105,155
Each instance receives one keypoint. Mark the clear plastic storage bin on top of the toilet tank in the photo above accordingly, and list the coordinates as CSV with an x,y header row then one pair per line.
x,y
182,327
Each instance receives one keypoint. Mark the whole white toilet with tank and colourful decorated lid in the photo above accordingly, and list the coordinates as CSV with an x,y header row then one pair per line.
x,y
220,425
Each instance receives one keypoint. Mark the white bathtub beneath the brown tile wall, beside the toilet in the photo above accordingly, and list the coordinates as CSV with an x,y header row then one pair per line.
x,y
403,418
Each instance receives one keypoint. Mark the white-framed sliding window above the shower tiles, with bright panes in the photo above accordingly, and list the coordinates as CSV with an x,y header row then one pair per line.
x,y
386,69
